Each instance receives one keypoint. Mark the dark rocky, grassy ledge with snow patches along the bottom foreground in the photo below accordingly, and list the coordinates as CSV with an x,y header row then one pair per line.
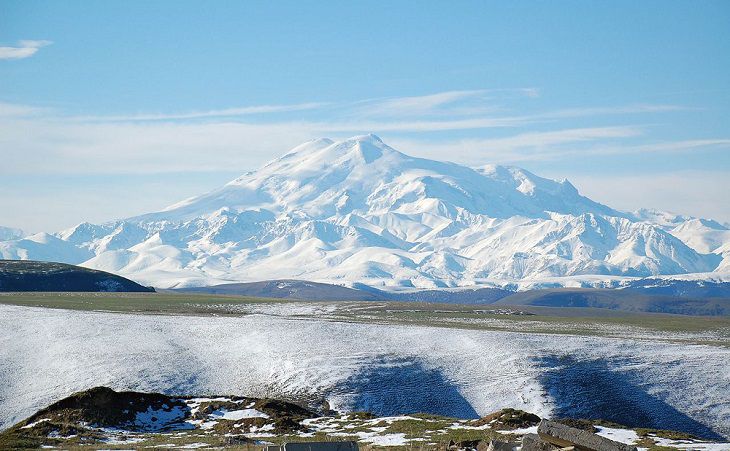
x,y
101,418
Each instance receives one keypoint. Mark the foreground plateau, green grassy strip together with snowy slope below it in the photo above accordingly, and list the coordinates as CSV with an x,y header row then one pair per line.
x,y
387,358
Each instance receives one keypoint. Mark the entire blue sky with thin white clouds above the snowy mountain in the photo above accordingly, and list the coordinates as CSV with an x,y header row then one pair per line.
x,y
110,109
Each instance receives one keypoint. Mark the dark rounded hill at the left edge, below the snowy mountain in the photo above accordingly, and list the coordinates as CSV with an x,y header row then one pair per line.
x,y
28,275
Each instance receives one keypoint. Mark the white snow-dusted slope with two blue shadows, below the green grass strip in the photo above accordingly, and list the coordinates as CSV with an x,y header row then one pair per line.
x,y
47,354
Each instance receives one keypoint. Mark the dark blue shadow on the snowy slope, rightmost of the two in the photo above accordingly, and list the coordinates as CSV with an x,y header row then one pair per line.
x,y
591,389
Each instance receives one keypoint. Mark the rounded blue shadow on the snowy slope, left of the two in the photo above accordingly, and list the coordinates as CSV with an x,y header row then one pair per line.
x,y
397,386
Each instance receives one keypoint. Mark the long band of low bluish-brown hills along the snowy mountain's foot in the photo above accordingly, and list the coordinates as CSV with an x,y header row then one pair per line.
x,y
657,296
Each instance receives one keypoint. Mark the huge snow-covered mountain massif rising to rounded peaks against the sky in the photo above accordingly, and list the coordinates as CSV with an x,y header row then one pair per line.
x,y
357,210
